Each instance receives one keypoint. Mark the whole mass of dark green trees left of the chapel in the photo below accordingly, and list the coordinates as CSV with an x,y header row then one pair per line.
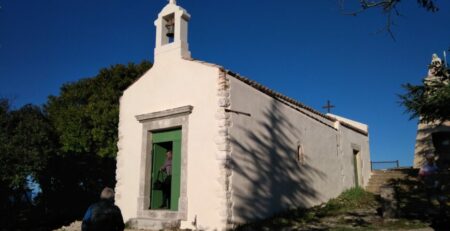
x,y
69,148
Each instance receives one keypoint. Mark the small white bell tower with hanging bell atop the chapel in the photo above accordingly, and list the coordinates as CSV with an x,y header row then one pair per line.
x,y
172,32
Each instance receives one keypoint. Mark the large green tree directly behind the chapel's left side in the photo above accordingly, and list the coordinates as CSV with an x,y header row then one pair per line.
x,y
85,118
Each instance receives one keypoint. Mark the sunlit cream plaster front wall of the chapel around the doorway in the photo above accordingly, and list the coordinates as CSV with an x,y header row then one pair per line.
x,y
169,84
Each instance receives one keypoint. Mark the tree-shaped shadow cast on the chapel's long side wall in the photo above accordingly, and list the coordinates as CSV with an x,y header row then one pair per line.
x,y
268,166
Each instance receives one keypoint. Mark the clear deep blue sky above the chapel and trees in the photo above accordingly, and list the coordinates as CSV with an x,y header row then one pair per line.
x,y
306,50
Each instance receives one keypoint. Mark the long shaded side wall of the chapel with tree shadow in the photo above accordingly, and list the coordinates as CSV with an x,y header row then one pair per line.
x,y
266,174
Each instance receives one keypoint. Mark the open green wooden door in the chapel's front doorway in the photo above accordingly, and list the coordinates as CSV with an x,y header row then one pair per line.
x,y
162,142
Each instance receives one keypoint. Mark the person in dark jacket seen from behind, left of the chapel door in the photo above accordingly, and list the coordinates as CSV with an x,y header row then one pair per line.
x,y
103,215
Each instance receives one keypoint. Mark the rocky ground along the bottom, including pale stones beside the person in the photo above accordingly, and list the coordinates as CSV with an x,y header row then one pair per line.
x,y
355,209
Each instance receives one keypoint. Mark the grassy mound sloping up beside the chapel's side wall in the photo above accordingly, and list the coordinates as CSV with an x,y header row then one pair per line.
x,y
354,209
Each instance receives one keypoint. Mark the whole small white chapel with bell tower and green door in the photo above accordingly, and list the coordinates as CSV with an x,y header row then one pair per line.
x,y
239,151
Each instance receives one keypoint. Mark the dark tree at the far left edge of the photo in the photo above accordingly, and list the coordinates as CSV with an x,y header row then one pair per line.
x,y
26,141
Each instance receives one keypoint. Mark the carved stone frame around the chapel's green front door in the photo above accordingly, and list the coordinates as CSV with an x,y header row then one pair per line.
x,y
155,122
